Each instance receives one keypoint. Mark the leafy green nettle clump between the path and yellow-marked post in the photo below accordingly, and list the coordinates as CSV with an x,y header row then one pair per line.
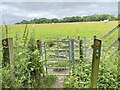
x,y
80,76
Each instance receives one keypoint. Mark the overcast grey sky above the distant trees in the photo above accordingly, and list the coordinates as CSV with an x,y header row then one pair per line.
x,y
13,12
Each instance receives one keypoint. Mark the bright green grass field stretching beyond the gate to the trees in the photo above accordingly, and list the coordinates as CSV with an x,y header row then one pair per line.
x,y
62,30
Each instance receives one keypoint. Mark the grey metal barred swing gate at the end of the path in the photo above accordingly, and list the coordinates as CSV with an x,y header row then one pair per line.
x,y
59,54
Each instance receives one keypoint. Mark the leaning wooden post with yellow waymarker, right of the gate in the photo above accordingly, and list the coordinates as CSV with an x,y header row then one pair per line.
x,y
95,62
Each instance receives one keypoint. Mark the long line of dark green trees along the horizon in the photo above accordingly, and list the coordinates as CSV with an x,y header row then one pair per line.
x,y
94,17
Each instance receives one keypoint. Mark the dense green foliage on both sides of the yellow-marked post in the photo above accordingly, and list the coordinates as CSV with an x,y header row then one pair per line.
x,y
107,78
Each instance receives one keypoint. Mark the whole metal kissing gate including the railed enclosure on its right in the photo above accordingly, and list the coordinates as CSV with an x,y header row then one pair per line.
x,y
60,54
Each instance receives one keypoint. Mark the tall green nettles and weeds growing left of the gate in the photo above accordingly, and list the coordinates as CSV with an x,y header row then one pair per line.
x,y
28,65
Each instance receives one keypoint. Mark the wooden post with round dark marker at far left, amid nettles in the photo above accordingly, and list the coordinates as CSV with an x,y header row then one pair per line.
x,y
8,57
